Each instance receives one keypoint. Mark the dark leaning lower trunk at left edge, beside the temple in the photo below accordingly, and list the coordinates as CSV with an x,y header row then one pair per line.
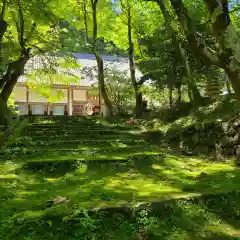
x,y
15,70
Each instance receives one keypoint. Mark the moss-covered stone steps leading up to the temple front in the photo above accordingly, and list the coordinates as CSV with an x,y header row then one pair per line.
x,y
78,138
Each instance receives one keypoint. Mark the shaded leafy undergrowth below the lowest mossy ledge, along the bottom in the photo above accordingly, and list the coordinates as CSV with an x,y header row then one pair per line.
x,y
207,217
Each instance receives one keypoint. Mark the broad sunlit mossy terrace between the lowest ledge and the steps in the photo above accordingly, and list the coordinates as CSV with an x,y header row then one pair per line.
x,y
132,182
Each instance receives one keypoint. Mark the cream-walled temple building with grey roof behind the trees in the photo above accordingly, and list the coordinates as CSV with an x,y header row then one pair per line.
x,y
77,98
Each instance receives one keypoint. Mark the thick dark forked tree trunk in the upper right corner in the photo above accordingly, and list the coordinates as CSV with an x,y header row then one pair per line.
x,y
224,58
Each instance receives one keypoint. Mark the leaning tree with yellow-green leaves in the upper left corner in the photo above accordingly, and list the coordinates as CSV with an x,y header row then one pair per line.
x,y
34,30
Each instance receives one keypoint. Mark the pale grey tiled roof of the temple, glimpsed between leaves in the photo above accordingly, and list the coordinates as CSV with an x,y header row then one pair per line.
x,y
85,61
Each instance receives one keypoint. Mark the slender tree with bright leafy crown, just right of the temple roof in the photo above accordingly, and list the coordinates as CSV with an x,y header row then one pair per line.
x,y
127,32
